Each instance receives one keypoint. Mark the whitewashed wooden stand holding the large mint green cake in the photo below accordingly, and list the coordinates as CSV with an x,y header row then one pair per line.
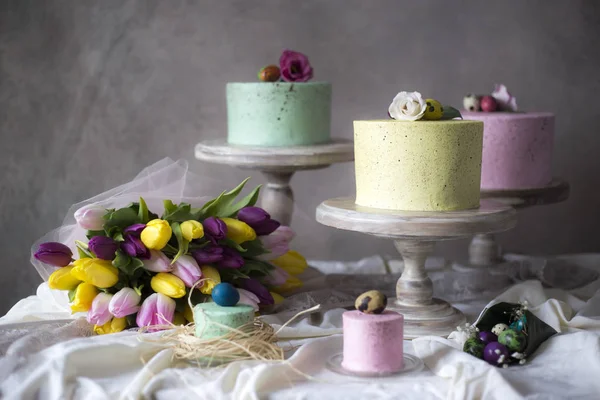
x,y
278,165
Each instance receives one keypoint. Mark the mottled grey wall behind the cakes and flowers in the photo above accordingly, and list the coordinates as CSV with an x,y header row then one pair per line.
x,y
91,92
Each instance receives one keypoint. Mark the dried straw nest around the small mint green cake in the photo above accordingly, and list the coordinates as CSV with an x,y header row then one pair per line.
x,y
256,340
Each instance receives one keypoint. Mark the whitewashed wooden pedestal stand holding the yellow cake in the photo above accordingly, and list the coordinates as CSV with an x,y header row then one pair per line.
x,y
415,234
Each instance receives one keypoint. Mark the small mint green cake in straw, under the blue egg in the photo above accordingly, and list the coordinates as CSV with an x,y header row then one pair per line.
x,y
207,313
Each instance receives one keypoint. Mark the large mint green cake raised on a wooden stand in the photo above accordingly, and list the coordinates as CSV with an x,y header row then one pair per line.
x,y
278,114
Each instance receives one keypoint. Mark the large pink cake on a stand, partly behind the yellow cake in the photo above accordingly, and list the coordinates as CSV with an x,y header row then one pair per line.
x,y
517,149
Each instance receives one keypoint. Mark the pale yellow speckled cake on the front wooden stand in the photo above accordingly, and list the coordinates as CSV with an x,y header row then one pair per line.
x,y
418,165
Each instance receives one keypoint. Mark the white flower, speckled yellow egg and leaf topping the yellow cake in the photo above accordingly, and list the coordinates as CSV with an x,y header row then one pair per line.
x,y
410,106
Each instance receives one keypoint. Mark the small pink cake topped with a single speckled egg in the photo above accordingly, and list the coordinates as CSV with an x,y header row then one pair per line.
x,y
373,342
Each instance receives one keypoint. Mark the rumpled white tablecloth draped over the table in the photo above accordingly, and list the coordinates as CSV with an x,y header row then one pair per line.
x,y
54,361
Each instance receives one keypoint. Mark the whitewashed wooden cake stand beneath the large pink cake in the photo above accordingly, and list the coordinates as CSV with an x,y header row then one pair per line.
x,y
483,250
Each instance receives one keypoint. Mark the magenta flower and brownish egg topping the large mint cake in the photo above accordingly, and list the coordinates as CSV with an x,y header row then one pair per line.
x,y
293,67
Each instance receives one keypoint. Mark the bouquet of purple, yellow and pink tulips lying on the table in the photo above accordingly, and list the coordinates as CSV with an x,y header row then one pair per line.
x,y
138,269
